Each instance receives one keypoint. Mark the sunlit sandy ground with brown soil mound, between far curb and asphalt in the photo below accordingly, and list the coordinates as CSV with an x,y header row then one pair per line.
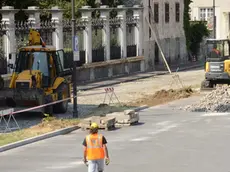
x,y
141,92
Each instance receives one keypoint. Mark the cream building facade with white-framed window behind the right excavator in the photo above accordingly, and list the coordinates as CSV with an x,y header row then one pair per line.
x,y
203,10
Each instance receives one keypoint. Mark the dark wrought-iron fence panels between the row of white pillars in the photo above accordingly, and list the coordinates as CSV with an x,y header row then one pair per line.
x,y
47,28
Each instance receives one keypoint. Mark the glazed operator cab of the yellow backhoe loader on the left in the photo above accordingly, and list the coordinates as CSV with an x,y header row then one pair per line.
x,y
46,60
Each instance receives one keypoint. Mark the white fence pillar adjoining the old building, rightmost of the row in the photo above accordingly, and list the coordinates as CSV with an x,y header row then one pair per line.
x,y
138,30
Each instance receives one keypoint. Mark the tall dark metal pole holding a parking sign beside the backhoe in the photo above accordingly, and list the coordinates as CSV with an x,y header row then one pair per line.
x,y
74,75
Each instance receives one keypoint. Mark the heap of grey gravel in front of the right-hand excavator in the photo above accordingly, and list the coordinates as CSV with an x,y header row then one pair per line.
x,y
216,101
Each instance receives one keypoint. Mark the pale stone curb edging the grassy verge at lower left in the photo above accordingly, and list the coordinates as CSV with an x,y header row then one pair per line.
x,y
38,138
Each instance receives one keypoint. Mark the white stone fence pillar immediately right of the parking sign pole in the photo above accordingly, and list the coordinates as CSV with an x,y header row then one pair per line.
x,y
86,16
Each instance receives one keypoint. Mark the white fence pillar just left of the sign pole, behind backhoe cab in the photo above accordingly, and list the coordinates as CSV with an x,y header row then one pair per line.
x,y
57,36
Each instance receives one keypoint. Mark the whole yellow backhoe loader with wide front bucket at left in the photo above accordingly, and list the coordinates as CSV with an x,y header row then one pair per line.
x,y
38,78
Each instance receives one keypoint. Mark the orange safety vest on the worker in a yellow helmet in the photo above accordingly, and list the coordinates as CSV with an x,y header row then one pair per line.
x,y
95,148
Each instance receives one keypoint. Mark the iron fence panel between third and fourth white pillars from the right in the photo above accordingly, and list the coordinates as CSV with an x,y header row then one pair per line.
x,y
98,49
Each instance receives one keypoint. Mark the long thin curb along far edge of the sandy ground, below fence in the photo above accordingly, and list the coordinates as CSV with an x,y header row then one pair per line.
x,y
134,79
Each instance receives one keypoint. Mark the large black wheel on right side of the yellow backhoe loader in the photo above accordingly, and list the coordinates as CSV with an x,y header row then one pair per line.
x,y
63,93
